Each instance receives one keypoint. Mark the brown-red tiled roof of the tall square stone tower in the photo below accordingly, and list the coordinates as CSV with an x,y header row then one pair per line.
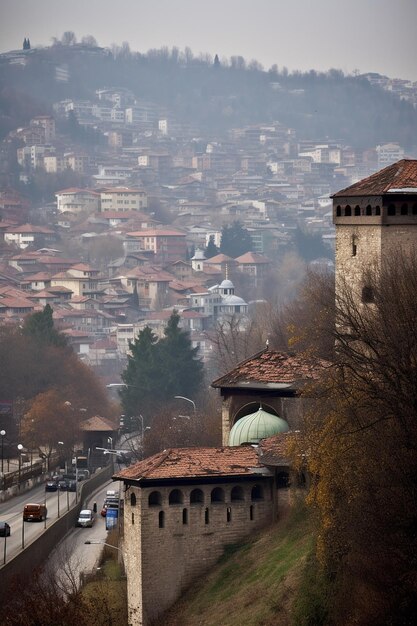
x,y
399,176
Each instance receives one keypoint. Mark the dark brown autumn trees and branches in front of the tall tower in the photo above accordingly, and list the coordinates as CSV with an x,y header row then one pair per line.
x,y
361,449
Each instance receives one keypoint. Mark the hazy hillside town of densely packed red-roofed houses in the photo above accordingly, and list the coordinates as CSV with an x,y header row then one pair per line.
x,y
141,233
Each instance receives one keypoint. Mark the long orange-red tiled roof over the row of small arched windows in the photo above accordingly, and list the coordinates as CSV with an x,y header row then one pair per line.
x,y
178,463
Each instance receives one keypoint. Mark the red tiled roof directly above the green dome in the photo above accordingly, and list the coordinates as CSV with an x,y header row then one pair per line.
x,y
272,369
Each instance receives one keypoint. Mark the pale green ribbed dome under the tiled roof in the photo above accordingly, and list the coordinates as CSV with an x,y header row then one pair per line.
x,y
256,426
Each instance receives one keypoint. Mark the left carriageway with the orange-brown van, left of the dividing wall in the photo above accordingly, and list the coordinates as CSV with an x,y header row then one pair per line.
x,y
23,533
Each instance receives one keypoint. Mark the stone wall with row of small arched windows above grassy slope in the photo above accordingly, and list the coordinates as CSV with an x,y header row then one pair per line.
x,y
170,541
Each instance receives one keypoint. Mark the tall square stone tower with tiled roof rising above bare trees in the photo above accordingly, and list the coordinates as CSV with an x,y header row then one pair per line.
x,y
374,217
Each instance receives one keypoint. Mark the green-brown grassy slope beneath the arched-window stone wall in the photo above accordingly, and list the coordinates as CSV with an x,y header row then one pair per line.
x,y
253,584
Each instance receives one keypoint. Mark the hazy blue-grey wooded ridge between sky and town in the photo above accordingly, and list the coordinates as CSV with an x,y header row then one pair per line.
x,y
210,96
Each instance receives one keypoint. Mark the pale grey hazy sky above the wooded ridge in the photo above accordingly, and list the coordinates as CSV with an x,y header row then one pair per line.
x,y
368,35
